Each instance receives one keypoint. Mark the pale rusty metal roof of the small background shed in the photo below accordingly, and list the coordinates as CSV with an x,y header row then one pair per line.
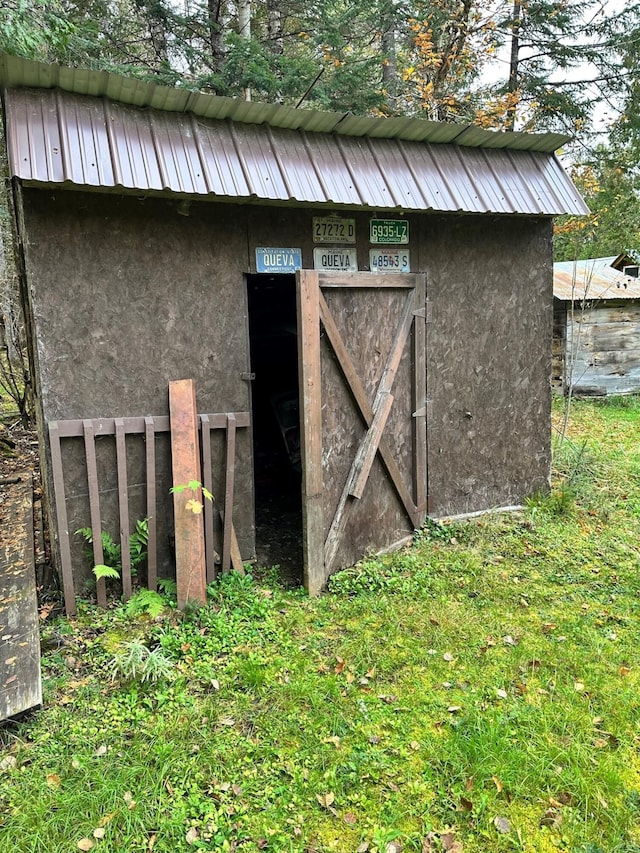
x,y
590,279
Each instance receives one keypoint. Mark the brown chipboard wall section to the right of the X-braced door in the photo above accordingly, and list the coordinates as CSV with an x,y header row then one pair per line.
x,y
488,359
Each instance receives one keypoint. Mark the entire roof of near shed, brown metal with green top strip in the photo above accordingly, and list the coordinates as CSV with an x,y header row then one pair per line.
x,y
92,129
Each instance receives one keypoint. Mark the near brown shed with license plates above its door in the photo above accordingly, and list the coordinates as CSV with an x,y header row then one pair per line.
x,y
341,289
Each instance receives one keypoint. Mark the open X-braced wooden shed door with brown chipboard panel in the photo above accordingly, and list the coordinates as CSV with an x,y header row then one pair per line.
x,y
361,341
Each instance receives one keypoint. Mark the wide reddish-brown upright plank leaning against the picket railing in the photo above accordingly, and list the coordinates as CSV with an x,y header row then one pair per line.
x,y
185,462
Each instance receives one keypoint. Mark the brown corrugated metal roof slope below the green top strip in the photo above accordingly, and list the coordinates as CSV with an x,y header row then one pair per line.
x,y
55,137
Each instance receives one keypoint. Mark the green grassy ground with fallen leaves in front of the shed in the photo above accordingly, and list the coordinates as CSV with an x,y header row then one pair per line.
x,y
476,692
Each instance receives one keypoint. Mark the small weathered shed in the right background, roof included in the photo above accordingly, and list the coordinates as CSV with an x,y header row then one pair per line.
x,y
596,326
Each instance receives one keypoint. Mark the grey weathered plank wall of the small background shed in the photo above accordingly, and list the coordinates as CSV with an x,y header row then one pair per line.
x,y
603,342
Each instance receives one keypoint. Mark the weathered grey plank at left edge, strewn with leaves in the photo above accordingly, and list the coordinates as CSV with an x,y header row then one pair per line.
x,y
20,682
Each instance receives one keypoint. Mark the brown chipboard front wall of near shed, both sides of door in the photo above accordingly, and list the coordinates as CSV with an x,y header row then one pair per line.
x,y
127,294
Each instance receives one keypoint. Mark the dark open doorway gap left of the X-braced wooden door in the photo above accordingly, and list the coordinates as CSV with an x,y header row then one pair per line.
x,y
276,423
